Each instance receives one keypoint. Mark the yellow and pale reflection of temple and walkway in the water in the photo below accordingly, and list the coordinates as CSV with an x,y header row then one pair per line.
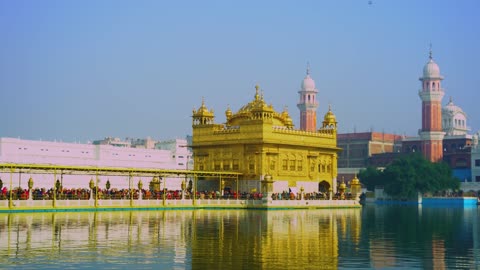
x,y
206,238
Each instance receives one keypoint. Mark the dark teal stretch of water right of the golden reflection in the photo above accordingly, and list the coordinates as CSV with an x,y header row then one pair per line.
x,y
422,238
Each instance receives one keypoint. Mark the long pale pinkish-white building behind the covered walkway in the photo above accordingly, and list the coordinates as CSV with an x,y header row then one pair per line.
x,y
174,155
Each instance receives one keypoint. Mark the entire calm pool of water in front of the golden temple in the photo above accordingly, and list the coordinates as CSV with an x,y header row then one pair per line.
x,y
375,237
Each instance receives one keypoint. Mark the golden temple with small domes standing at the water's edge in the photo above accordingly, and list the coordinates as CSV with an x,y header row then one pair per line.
x,y
258,141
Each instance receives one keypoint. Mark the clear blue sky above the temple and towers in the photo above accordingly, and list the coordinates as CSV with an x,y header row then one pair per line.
x,y
85,70
